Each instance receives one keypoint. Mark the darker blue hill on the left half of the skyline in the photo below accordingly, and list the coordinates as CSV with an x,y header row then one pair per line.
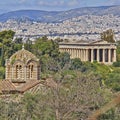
x,y
32,15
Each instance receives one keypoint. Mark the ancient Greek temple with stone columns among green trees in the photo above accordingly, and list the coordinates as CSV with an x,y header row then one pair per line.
x,y
100,51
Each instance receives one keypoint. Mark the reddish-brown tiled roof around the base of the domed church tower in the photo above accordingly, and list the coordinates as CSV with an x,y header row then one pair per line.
x,y
7,86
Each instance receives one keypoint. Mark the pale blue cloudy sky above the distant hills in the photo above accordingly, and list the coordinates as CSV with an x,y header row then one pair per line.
x,y
52,5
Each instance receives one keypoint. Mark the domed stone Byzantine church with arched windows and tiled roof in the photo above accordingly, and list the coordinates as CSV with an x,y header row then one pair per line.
x,y
22,73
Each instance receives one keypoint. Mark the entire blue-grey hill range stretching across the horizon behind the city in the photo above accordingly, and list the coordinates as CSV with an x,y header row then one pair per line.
x,y
54,16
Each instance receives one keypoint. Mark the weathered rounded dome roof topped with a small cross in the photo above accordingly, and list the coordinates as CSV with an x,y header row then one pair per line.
x,y
23,56
